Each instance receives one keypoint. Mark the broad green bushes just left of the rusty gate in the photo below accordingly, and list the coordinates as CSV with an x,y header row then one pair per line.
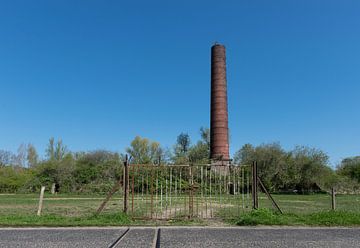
x,y
95,171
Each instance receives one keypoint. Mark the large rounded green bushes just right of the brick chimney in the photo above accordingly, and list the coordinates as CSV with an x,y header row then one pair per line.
x,y
302,169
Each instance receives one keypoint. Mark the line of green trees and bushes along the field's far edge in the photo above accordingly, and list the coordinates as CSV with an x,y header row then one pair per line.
x,y
300,170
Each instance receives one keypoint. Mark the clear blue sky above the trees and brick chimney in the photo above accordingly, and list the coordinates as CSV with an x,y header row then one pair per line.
x,y
98,73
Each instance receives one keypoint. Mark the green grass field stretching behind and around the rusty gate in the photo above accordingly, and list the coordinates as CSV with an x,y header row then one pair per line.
x,y
78,210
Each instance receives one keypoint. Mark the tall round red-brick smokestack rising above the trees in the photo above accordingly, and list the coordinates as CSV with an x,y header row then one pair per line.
x,y
219,132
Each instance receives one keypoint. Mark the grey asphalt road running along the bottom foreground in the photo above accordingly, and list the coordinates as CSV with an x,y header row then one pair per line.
x,y
180,237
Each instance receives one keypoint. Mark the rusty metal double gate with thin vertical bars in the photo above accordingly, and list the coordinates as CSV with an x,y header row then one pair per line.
x,y
167,192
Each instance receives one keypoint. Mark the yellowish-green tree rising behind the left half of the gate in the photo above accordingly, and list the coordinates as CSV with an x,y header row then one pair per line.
x,y
144,151
